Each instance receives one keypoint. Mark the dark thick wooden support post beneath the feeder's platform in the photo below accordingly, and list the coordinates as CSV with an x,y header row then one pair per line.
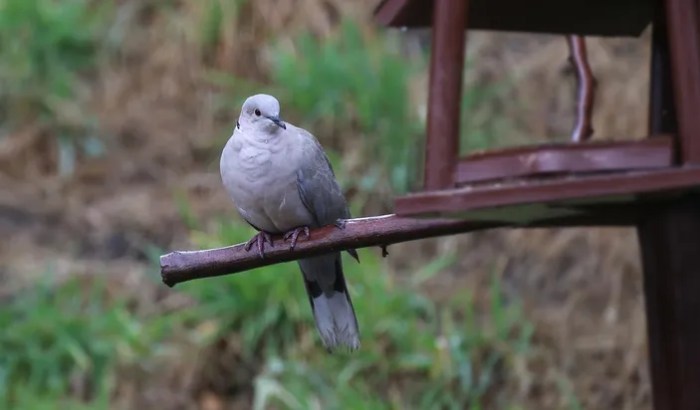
x,y
670,244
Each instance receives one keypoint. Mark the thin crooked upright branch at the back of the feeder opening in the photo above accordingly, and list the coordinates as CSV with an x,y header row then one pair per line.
x,y
585,93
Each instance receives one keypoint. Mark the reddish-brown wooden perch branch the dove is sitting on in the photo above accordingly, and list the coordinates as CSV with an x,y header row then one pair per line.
x,y
178,267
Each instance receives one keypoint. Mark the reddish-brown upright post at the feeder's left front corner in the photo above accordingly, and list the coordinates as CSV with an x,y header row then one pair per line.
x,y
445,92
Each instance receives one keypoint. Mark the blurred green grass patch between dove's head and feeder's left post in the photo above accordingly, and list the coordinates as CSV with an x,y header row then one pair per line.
x,y
355,83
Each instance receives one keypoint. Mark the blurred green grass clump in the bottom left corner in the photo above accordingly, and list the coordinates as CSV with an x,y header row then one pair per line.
x,y
58,335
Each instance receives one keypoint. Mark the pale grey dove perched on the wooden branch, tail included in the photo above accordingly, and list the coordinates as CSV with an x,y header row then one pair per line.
x,y
281,181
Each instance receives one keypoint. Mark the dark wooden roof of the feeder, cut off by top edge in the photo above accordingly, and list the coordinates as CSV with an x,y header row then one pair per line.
x,y
585,17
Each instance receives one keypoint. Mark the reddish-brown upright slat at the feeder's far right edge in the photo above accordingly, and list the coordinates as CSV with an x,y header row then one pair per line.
x,y
683,18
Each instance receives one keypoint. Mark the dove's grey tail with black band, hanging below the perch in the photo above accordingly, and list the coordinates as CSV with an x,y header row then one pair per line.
x,y
330,301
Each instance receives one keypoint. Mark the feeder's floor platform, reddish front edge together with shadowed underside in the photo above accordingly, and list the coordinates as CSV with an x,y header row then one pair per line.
x,y
515,201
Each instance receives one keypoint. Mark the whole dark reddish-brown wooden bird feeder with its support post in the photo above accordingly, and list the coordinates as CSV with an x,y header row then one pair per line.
x,y
650,183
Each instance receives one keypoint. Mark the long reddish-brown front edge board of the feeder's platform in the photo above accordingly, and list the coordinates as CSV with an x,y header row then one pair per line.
x,y
439,203
